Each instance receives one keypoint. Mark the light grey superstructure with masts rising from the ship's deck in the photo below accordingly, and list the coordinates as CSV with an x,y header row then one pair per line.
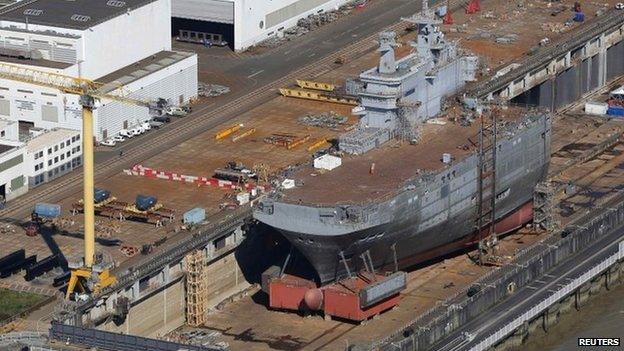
x,y
399,95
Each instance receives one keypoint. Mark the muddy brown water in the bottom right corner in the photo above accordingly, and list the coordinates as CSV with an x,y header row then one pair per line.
x,y
602,316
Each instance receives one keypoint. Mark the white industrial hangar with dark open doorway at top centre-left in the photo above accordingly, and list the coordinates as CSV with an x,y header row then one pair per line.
x,y
251,21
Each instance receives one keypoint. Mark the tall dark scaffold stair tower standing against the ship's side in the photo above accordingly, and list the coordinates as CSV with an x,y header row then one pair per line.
x,y
486,185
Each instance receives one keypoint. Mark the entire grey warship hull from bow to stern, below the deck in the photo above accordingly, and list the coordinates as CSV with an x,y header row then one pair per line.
x,y
425,220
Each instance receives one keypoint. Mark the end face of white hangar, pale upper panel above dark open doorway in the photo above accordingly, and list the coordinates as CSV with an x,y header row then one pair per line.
x,y
209,16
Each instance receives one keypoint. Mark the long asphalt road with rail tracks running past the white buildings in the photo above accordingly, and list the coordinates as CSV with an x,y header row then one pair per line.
x,y
260,70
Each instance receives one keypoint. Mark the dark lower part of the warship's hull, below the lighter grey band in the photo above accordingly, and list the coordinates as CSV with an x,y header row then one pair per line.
x,y
403,239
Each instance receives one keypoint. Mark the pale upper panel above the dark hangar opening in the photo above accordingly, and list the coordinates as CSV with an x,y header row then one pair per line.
x,y
220,11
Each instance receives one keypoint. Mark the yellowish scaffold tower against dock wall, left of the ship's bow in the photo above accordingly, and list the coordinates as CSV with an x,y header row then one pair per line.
x,y
196,290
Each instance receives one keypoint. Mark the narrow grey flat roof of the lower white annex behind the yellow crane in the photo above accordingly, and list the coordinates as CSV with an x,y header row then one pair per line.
x,y
141,69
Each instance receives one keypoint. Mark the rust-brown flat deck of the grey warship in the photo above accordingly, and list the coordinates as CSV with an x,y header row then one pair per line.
x,y
358,181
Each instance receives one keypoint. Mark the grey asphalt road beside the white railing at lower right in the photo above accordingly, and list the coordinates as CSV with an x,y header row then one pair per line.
x,y
530,295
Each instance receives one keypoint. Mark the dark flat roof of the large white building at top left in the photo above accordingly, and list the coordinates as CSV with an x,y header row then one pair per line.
x,y
75,14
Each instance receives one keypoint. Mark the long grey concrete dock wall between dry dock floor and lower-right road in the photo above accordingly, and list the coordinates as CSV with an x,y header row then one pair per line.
x,y
421,334
